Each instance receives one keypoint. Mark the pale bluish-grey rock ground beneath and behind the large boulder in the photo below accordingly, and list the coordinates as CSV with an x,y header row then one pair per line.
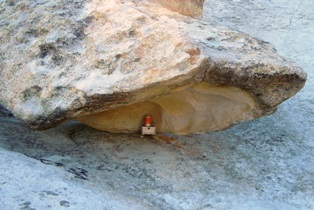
x,y
264,164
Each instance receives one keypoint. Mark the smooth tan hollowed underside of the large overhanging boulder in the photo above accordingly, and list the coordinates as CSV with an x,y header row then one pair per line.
x,y
198,108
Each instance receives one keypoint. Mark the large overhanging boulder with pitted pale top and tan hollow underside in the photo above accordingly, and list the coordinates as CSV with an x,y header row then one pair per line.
x,y
108,63
